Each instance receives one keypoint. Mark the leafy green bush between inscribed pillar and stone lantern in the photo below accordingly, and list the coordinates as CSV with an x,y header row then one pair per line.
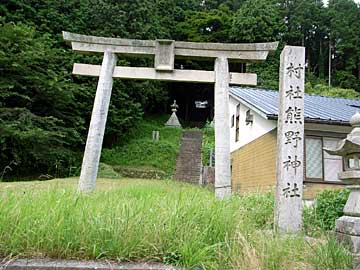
x,y
328,207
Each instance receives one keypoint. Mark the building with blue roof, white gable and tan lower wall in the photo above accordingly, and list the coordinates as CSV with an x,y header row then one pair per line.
x,y
253,118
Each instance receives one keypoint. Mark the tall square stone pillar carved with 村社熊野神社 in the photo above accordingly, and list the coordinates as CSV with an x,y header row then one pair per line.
x,y
290,141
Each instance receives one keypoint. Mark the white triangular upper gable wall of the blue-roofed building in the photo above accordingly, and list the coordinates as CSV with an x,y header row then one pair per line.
x,y
250,132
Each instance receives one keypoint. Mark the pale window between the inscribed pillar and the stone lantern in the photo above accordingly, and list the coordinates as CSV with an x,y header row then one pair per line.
x,y
320,166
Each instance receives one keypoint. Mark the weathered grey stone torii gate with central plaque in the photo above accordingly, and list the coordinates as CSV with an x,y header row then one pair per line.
x,y
164,52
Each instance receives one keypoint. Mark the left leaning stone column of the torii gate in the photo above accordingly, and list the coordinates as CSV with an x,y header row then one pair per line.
x,y
90,164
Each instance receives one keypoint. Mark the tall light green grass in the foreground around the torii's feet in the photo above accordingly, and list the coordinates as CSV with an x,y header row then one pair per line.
x,y
166,221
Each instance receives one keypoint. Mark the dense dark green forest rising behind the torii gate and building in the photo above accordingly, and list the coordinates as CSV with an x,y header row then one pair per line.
x,y
44,110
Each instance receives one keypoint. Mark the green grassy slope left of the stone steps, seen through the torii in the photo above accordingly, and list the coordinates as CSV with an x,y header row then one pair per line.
x,y
141,150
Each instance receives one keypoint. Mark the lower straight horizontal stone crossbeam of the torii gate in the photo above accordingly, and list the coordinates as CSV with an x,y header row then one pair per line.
x,y
141,73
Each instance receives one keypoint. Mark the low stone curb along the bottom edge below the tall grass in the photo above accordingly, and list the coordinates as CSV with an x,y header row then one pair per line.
x,y
50,264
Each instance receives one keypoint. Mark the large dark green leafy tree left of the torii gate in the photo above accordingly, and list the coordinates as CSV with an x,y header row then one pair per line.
x,y
37,118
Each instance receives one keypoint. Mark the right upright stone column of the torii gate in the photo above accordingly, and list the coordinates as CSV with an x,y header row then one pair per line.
x,y
222,129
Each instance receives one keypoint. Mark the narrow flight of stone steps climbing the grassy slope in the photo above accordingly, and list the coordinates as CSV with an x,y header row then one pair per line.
x,y
189,162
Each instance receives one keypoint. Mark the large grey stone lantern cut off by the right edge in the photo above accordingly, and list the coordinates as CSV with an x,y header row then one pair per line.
x,y
348,226
